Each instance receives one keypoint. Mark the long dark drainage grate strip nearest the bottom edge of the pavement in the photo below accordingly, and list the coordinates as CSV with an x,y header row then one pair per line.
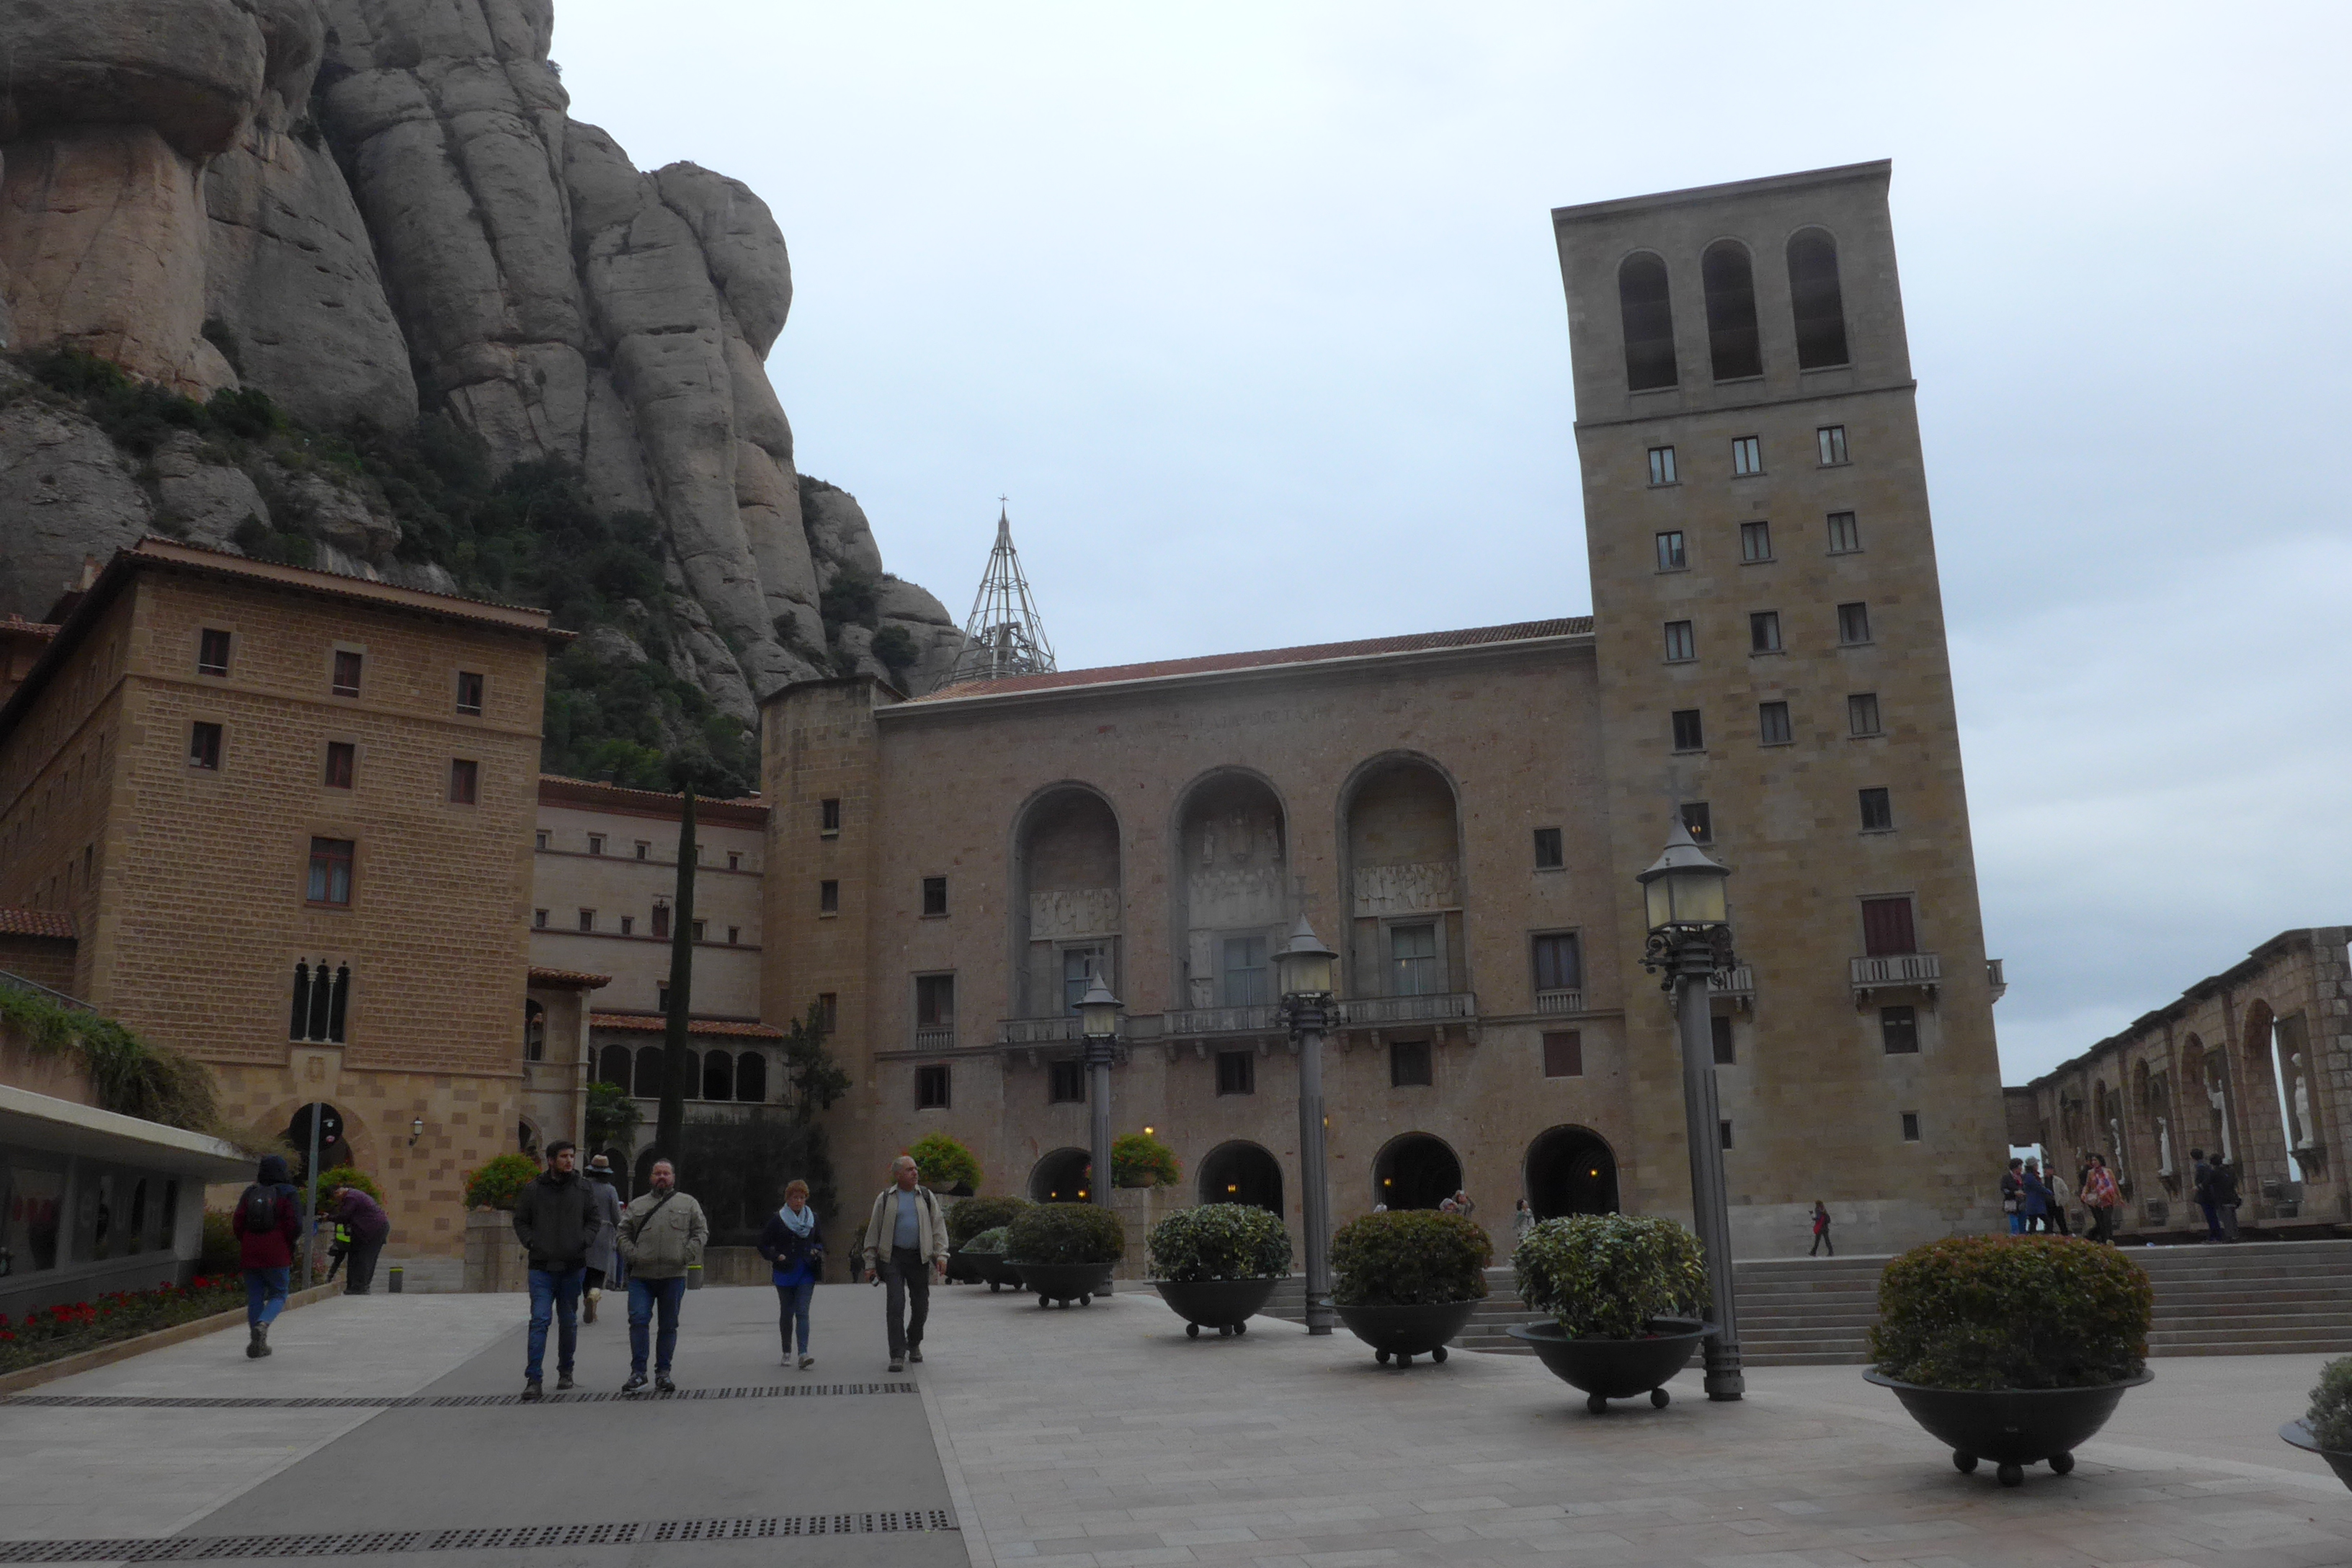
x,y
502,1539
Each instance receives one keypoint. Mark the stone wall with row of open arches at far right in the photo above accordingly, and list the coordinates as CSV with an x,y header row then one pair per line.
x,y
2254,1061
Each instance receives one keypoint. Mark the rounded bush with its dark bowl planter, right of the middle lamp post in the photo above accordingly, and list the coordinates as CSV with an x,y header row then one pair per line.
x,y
1405,1282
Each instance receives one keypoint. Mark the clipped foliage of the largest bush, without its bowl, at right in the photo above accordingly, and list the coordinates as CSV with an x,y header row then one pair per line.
x,y
2012,1313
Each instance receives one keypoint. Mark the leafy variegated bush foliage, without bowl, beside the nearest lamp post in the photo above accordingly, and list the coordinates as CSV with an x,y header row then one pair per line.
x,y
1605,1275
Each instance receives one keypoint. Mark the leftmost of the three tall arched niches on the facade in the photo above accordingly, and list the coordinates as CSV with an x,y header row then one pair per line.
x,y
1067,902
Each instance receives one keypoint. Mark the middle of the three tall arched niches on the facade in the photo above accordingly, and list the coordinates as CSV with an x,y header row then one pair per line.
x,y
1231,892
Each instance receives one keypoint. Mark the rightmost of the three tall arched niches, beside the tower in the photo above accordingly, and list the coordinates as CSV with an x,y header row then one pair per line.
x,y
1405,890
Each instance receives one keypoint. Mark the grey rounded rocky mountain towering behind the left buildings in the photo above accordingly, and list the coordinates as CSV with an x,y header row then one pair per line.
x,y
382,217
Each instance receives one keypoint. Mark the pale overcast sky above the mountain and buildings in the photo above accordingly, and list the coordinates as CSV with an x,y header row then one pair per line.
x,y
1255,314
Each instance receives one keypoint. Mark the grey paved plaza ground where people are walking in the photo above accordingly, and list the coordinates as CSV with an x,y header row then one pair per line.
x,y
1102,1438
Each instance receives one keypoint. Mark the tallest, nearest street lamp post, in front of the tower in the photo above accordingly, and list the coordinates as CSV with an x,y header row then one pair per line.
x,y
1690,939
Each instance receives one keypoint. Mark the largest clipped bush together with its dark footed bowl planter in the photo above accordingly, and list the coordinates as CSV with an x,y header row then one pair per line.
x,y
2012,1348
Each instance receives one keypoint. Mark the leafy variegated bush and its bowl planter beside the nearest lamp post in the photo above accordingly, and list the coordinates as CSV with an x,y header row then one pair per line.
x,y
1626,1299
